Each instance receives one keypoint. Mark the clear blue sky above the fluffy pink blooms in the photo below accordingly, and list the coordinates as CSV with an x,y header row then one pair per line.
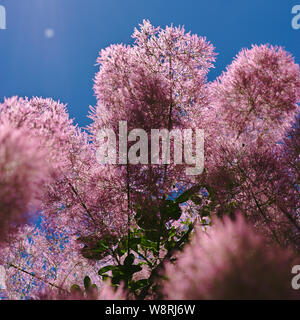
x,y
50,47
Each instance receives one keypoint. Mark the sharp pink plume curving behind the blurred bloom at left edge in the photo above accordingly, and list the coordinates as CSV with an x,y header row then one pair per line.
x,y
68,202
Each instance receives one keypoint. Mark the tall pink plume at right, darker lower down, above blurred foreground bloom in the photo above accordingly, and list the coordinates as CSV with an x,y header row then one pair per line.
x,y
252,107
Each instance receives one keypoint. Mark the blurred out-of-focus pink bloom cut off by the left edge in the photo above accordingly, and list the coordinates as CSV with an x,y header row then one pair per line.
x,y
22,172
